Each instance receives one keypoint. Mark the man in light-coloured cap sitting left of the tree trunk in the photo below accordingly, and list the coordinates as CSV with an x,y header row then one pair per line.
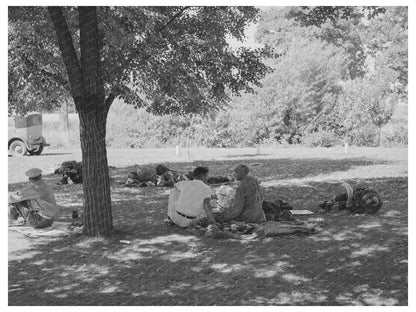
x,y
36,203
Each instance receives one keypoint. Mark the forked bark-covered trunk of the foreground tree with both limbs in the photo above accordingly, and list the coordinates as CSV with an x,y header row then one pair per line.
x,y
88,93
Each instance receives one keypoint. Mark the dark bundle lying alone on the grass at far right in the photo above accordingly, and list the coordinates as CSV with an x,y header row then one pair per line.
x,y
357,200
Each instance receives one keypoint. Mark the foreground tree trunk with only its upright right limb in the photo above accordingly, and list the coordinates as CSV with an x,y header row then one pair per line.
x,y
93,116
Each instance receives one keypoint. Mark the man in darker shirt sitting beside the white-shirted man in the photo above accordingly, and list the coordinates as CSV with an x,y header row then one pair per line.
x,y
247,204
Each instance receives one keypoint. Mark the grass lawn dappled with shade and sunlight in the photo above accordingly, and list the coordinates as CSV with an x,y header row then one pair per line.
x,y
353,260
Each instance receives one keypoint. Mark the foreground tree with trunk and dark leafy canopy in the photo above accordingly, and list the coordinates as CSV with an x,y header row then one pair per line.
x,y
167,59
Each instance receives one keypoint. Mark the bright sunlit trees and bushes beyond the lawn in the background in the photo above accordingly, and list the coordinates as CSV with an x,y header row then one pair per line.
x,y
339,74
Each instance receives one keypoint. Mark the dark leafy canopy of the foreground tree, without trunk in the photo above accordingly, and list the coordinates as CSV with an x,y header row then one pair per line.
x,y
167,59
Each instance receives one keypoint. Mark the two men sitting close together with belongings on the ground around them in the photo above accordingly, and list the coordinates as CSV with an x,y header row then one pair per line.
x,y
231,208
